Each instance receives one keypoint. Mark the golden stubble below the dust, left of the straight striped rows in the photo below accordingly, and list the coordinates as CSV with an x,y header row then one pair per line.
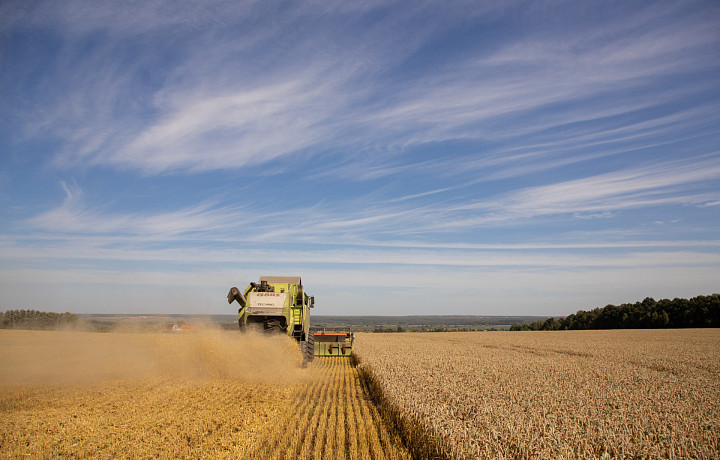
x,y
137,419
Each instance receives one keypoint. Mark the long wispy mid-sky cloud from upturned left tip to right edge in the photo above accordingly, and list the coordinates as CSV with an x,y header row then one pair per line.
x,y
365,220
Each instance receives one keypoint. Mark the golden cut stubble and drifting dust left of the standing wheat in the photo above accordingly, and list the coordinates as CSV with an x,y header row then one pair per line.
x,y
72,394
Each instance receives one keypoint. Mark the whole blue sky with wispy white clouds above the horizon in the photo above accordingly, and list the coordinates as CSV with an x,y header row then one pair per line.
x,y
425,157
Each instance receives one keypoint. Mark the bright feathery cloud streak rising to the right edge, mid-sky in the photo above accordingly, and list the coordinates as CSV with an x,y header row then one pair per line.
x,y
665,183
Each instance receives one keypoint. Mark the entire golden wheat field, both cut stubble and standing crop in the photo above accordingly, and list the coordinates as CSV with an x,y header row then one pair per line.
x,y
569,394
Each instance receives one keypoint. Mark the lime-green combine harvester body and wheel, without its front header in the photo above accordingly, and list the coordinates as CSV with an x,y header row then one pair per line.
x,y
277,304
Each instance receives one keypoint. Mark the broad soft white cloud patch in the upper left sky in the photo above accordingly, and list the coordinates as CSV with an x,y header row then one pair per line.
x,y
234,129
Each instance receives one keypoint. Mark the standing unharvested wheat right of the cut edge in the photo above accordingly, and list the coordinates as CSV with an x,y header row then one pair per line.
x,y
569,394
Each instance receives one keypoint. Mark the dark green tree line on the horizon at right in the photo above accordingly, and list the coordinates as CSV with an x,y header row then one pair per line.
x,y
700,311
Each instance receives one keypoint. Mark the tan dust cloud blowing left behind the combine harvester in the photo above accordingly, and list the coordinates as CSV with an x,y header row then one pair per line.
x,y
72,357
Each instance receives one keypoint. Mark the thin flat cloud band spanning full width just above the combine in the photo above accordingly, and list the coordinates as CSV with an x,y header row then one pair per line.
x,y
529,256
